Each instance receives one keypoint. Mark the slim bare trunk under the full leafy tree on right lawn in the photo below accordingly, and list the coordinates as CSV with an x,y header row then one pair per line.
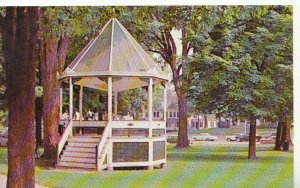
x,y
252,138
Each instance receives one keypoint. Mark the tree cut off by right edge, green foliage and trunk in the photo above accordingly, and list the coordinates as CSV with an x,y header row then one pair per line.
x,y
280,71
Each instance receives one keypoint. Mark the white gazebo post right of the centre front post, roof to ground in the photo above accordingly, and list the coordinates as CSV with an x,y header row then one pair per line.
x,y
150,115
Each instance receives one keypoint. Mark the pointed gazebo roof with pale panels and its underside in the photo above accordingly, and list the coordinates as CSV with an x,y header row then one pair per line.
x,y
114,52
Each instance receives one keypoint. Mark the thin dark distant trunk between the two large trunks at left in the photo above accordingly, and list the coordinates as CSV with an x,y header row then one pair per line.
x,y
38,119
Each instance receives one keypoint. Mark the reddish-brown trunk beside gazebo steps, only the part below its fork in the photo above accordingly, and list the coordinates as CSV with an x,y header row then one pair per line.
x,y
49,68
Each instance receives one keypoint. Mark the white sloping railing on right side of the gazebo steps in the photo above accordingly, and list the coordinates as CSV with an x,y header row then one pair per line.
x,y
101,150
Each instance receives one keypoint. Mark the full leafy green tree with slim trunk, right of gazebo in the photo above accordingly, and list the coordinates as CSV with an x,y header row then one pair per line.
x,y
230,72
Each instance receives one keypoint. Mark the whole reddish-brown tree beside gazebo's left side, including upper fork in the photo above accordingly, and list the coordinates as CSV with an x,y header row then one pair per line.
x,y
52,52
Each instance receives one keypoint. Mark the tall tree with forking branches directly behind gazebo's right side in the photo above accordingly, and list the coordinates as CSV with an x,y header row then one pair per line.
x,y
153,27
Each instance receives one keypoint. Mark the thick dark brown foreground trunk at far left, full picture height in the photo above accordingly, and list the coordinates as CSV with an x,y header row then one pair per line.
x,y
19,45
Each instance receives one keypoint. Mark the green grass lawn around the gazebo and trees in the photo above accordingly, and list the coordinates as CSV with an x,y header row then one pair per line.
x,y
199,166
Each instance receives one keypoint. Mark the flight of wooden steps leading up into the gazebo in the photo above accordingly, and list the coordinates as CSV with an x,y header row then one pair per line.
x,y
80,152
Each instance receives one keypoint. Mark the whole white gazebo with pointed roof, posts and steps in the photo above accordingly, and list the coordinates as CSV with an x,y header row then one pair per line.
x,y
113,62
